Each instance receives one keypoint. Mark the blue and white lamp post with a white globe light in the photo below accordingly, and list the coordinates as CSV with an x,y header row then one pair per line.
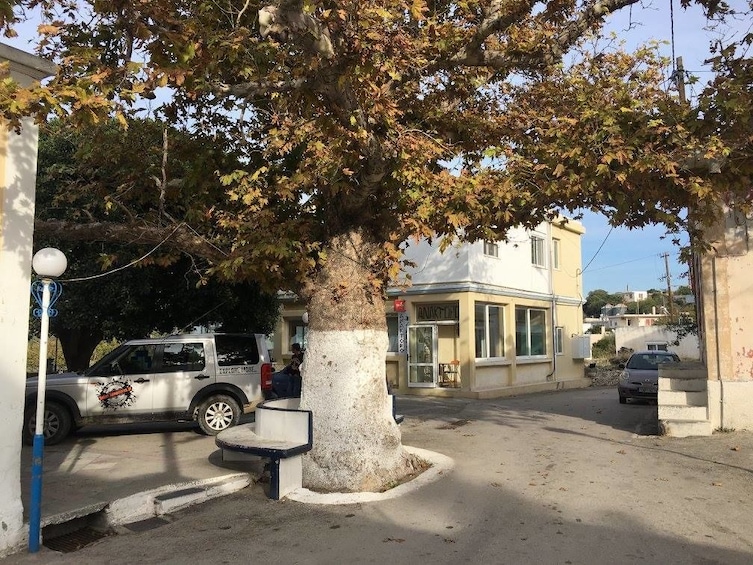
x,y
47,263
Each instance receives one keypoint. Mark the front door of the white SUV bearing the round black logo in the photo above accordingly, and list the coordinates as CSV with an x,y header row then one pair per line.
x,y
122,386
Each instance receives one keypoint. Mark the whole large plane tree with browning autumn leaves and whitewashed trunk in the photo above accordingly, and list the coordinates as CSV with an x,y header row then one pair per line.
x,y
363,124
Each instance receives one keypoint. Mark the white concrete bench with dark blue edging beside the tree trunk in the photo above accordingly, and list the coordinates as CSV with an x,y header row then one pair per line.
x,y
281,433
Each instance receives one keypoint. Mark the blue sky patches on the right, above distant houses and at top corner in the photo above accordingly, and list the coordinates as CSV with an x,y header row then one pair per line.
x,y
632,258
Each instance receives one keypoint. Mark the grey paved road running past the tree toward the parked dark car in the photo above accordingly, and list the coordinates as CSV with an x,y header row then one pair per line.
x,y
560,478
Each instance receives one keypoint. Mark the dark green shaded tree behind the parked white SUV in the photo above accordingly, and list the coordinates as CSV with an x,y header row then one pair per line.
x,y
88,175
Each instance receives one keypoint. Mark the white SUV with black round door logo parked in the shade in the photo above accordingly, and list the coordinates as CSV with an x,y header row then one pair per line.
x,y
202,377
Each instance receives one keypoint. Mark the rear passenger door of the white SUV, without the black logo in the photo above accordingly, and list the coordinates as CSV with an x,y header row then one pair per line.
x,y
183,371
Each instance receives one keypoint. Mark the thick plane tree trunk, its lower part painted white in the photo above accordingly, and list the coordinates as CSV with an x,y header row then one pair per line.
x,y
357,445
